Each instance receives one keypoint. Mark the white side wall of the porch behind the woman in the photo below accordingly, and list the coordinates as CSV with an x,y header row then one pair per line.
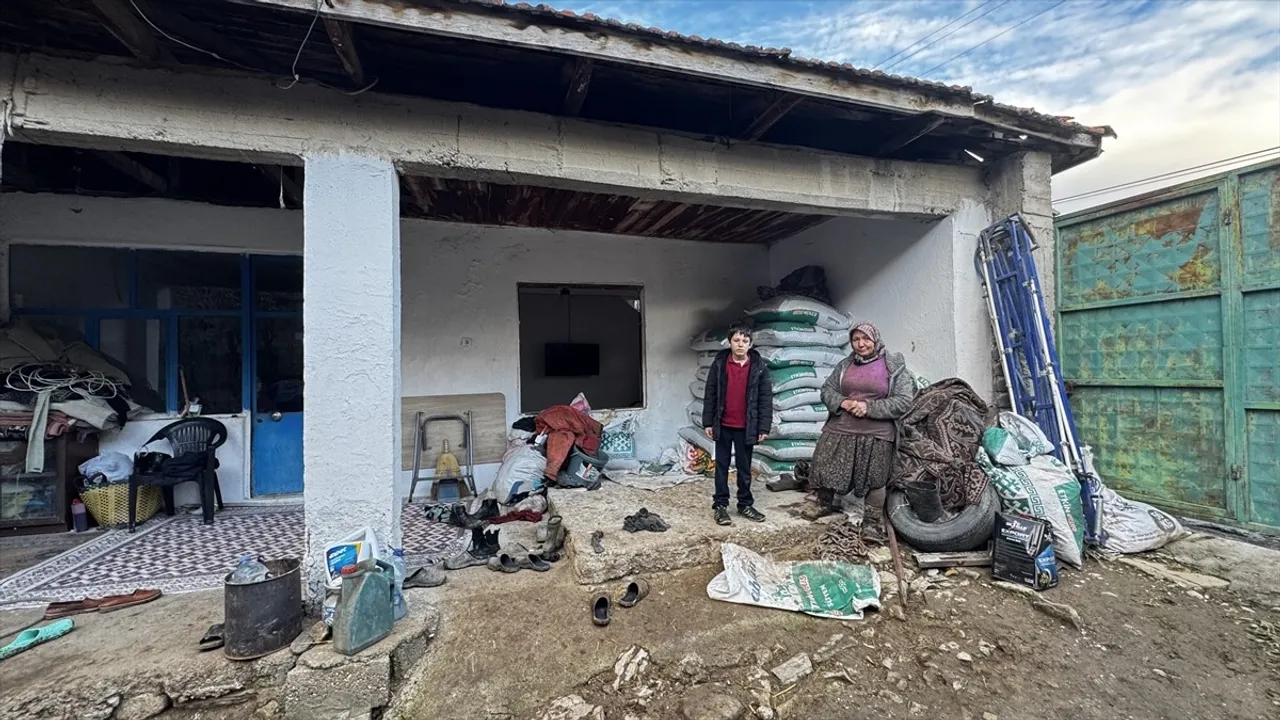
x,y
915,281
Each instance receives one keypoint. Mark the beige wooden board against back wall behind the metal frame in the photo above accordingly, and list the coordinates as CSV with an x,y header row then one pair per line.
x,y
488,427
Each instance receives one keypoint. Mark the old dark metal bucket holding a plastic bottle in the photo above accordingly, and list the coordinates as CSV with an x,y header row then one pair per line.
x,y
263,618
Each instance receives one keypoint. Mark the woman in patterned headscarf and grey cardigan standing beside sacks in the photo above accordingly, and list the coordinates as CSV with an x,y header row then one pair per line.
x,y
866,394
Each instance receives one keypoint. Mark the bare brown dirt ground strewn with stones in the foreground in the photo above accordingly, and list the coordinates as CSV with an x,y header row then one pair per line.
x,y
967,649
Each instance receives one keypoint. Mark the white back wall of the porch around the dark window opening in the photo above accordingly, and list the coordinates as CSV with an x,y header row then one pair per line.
x,y
458,282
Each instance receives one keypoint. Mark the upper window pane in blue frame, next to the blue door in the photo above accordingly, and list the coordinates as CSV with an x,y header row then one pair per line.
x,y
207,281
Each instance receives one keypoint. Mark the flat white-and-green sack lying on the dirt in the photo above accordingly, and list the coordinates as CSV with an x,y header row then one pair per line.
x,y
821,589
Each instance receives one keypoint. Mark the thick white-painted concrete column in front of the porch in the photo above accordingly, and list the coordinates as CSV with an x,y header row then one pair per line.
x,y
351,354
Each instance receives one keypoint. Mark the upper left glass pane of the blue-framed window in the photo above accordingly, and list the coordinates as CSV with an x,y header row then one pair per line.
x,y
47,276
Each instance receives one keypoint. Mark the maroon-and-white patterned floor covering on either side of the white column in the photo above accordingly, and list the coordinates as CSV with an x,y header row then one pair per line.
x,y
181,554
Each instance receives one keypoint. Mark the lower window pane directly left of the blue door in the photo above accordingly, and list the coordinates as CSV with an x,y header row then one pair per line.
x,y
209,357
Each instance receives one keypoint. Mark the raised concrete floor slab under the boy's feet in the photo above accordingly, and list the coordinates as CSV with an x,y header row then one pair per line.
x,y
693,540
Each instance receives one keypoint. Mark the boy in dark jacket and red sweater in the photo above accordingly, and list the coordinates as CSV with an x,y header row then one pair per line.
x,y
738,413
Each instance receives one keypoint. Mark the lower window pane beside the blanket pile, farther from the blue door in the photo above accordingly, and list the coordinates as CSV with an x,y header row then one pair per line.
x,y
141,348
